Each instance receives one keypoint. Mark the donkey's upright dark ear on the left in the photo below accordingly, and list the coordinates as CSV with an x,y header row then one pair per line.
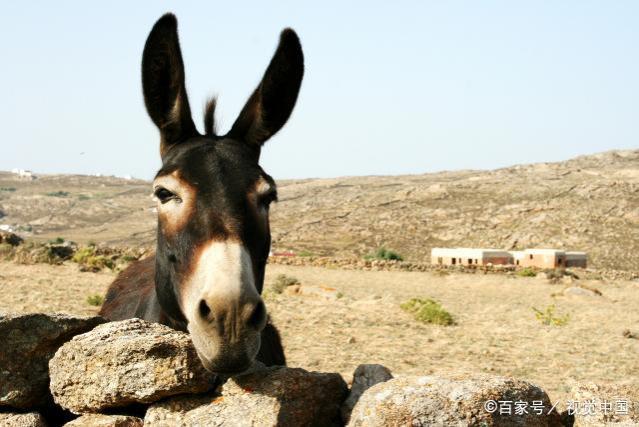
x,y
163,84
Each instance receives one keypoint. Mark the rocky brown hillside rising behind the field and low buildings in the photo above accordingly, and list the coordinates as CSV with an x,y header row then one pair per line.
x,y
589,203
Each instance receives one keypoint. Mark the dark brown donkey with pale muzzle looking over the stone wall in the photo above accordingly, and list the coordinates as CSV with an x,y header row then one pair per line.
x,y
213,235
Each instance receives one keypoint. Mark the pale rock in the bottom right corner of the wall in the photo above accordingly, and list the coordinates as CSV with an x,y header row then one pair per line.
x,y
604,404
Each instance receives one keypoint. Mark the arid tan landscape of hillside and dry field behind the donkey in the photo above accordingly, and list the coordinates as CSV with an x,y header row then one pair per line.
x,y
336,319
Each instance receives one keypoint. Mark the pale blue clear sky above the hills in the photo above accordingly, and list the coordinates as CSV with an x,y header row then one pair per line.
x,y
389,88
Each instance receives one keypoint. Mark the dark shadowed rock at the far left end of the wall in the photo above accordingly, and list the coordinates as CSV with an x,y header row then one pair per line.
x,y
28,342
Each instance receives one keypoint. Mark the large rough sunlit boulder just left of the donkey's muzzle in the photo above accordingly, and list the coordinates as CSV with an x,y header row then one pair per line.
x,y
121,363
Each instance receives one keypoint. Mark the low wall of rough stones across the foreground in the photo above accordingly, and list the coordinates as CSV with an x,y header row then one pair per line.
x,y
84,371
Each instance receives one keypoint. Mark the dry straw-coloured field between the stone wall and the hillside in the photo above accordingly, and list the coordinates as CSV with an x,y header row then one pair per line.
x,y
496,329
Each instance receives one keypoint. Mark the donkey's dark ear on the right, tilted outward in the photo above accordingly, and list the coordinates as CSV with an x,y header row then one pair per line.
x,y
271,104
